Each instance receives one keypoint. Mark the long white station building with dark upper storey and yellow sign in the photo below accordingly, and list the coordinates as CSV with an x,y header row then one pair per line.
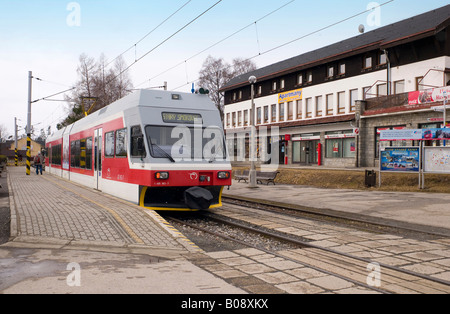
x,y
330,104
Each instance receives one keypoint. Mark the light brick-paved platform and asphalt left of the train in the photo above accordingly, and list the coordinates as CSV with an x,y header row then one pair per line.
x,y
62,232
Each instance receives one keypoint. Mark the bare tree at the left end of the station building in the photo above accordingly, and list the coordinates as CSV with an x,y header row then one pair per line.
x,y
215,73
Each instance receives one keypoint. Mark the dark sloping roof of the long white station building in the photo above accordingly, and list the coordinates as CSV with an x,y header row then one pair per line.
x,y
408,30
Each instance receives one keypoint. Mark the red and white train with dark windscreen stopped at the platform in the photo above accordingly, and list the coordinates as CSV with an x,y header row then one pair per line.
x,y
159,149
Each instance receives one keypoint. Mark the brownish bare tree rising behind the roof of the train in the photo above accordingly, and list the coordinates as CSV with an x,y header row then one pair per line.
x,y
99,82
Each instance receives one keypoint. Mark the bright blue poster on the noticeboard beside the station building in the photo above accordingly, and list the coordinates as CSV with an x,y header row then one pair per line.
x,y
400,159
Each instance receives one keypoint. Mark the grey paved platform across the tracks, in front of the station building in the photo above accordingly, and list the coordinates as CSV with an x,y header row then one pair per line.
x,y
427,212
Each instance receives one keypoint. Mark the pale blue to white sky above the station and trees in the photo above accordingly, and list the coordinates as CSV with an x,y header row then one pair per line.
x,y
48,36
